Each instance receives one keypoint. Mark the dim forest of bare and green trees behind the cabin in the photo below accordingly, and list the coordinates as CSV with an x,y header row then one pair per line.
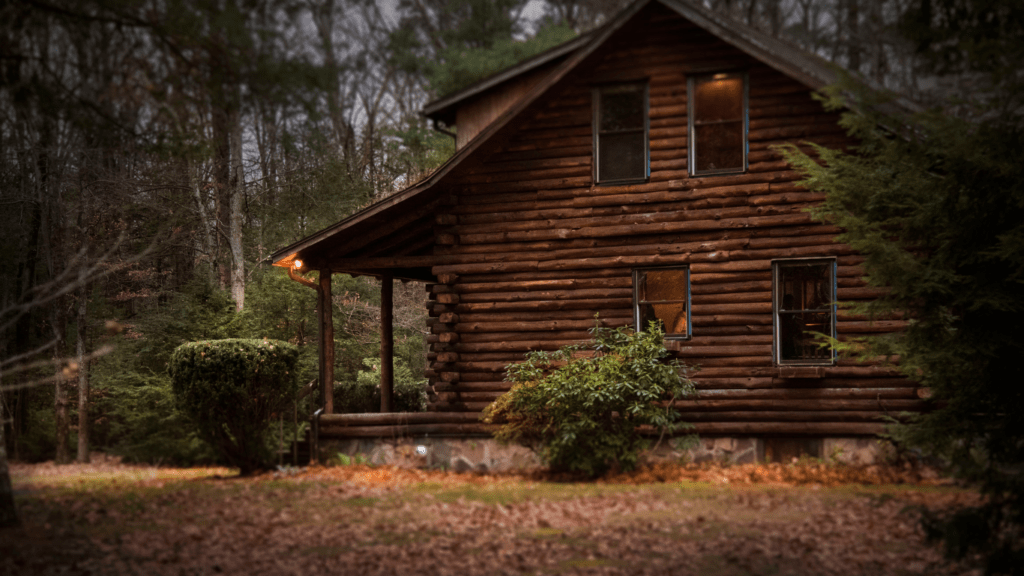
x,y
154,154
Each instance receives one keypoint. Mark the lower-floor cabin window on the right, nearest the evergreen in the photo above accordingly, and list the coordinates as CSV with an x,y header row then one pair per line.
x,y
804,306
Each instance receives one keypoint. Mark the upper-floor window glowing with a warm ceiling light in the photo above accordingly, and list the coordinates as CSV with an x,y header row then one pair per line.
x,y
718,124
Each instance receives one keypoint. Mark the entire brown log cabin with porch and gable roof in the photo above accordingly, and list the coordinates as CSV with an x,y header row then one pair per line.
x,y
632,174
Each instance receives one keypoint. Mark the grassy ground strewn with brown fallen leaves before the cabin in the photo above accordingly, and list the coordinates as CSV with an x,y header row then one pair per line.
x,y
754,520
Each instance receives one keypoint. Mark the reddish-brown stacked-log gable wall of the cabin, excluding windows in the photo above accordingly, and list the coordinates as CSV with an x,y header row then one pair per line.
x,y
534,250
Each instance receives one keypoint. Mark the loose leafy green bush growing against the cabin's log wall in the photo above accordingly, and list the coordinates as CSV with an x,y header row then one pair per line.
x,y
584,415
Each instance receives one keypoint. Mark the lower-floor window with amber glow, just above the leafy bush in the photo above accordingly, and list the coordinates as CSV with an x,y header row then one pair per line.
x,y
663,296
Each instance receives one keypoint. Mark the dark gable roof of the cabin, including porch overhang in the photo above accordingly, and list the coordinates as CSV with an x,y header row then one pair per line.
x,y
383,236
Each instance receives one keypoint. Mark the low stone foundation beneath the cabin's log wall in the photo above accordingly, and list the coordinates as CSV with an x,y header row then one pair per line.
x,y
488,456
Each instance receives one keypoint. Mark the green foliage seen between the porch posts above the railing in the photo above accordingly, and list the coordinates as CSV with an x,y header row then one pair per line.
x,y
364,395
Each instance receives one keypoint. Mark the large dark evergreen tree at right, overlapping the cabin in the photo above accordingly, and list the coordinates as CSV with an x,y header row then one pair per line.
x,y
935,203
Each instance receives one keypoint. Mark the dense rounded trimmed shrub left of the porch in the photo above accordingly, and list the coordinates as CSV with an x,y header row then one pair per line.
x,y
232,389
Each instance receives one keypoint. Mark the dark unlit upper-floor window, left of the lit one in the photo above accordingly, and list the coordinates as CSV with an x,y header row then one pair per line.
x,y
621,133
